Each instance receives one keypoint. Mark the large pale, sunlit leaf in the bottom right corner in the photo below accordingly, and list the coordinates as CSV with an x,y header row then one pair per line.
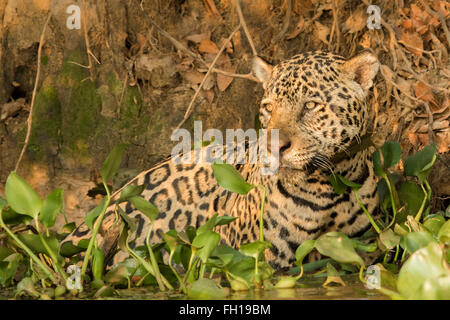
x,y
424,264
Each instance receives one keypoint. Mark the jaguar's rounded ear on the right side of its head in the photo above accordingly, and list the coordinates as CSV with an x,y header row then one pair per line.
x,y
362,69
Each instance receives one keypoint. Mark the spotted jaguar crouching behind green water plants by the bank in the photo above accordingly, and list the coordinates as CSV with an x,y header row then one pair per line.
x,y
317,103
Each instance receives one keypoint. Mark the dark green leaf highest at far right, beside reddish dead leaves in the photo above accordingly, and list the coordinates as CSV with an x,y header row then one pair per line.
x,y
420,163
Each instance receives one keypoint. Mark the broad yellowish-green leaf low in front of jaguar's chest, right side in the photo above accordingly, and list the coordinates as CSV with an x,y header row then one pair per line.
x,y
339,247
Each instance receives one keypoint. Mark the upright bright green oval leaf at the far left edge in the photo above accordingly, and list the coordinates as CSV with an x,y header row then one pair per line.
x,y
21,197
